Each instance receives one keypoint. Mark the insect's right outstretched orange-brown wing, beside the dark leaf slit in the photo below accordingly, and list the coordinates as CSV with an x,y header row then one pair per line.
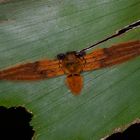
x,y
116,54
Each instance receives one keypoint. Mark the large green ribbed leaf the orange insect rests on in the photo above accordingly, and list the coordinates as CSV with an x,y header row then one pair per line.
x,y
32,30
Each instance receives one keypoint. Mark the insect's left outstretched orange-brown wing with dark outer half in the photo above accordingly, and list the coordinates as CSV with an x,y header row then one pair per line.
x,y
38,70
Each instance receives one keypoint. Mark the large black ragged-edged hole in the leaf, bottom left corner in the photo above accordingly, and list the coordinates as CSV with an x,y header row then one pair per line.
x,y
14,123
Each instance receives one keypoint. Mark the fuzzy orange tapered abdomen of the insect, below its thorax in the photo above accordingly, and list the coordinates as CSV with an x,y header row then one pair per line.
x,y
75,83
